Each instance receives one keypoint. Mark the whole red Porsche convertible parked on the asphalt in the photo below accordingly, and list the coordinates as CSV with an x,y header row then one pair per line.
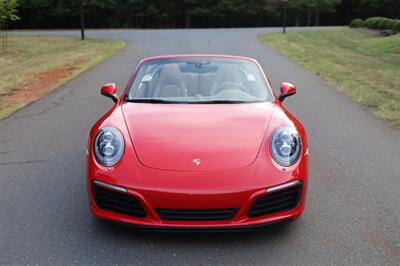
x,y
197,142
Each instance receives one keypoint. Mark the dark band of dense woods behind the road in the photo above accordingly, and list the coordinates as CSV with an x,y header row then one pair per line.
x,y
197,13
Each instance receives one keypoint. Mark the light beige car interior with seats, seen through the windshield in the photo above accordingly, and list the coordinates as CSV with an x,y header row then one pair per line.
x,y
198,80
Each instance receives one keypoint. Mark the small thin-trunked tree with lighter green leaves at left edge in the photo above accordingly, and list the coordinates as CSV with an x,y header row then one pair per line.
x,y
8,14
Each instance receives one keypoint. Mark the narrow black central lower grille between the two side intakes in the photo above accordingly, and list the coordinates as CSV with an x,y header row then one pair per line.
x,y
197,214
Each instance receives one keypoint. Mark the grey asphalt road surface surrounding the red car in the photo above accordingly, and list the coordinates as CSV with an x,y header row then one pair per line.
x,y
353,212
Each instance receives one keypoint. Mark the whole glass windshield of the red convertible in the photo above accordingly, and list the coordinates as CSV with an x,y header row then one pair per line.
x,y
198,80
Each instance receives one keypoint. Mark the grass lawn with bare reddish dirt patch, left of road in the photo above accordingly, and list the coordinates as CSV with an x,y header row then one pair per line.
x,y
34,65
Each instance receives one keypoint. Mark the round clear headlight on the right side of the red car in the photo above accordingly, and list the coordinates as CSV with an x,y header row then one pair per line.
x,y
285,145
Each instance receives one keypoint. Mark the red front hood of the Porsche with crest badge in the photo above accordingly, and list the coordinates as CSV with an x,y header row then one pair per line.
x,y
197,137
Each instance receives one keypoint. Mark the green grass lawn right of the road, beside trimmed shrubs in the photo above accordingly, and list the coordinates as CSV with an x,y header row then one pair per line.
x,y
357,62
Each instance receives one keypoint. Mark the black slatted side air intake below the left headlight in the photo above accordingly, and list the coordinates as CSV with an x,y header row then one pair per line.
x,y
107,199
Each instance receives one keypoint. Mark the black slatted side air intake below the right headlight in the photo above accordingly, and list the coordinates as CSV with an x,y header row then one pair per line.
x,y
285,199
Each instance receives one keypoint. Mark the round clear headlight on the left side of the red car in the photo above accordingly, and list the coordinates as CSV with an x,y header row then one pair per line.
x,y
108,146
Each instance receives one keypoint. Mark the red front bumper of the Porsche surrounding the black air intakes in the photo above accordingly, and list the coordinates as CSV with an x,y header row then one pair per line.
x,y
242,200
